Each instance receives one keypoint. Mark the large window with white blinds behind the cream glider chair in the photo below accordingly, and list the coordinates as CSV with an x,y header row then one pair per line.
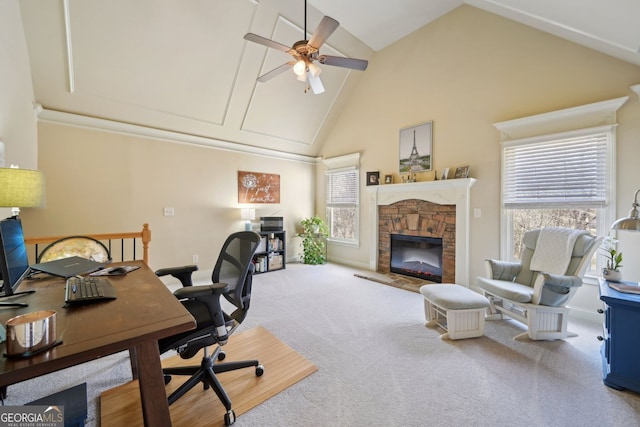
x,y
557,181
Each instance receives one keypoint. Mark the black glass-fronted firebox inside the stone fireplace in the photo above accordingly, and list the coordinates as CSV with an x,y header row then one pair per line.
x,y
417,256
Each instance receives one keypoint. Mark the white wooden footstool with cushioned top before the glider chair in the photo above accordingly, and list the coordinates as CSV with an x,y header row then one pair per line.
x,y
458,310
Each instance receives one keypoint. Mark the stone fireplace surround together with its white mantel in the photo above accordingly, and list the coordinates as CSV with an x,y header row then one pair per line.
x,y
437,209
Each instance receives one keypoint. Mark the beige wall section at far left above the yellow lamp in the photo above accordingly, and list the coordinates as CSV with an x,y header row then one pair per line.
x,y
17,121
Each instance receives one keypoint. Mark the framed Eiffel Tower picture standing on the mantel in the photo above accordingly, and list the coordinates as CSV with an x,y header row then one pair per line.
x,y
416,148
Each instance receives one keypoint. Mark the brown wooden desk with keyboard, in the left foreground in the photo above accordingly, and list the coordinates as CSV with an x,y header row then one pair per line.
x,y
144,311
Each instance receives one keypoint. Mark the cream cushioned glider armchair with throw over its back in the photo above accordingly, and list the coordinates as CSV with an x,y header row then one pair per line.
x,y
527,293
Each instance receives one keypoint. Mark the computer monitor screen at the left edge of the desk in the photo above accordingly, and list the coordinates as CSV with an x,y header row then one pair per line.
x,y
14,262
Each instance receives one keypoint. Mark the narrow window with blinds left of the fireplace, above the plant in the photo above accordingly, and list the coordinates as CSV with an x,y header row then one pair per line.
x,y
343,199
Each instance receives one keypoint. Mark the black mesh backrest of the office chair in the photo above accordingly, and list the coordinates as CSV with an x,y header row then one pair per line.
x,y
235,267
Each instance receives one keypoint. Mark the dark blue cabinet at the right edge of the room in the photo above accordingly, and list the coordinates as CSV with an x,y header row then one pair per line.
x,y
621,341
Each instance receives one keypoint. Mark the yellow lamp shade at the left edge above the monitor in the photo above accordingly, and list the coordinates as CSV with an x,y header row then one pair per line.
x,y
21,188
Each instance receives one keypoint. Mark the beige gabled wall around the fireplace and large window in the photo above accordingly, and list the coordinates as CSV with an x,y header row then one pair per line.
x,y
464,72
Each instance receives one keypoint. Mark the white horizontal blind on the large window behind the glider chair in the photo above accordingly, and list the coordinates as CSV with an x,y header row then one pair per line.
x,y
555,173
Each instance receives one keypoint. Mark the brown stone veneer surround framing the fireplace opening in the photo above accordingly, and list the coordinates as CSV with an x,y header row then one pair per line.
x,y
418,218
